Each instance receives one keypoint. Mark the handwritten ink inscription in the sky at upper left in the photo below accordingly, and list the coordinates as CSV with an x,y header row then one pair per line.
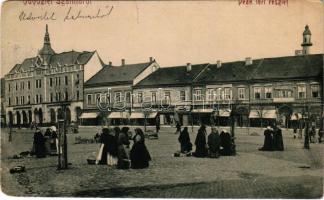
x,y
72,14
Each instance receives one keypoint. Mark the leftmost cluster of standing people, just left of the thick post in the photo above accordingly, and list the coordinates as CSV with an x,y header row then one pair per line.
x,y
46,144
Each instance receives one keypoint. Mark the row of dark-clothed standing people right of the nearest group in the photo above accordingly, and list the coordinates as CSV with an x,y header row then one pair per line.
x,y
212,146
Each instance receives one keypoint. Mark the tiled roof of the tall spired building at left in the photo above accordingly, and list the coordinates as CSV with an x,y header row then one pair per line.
x,y
64,58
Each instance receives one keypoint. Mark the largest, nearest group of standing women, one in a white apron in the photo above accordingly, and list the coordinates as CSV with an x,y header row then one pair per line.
x,y
115,149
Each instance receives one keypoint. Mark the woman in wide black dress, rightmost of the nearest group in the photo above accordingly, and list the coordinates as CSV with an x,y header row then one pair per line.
x,y
139,154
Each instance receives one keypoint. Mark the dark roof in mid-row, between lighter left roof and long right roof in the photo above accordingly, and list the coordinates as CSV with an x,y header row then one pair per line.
x,y
177,75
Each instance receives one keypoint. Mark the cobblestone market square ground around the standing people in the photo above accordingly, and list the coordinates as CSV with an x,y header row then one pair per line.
x,y
294,173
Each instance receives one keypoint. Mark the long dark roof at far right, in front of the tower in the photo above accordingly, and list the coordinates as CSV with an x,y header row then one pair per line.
x,y
292,67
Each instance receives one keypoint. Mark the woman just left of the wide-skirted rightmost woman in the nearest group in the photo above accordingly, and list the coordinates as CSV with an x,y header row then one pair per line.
x,y
123,149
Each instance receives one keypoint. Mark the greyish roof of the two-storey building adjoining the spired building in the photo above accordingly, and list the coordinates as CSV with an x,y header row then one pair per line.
x,y
115,75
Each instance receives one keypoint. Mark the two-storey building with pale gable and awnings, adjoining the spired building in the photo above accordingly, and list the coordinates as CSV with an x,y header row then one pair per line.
x,y
108,95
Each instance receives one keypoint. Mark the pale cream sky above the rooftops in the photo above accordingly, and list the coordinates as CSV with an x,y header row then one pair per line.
x,y
174,33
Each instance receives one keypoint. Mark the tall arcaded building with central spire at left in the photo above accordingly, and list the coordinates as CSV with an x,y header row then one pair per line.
x,y
36,89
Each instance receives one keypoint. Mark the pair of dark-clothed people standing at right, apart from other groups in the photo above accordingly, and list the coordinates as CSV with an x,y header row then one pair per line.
x,y
272,139
